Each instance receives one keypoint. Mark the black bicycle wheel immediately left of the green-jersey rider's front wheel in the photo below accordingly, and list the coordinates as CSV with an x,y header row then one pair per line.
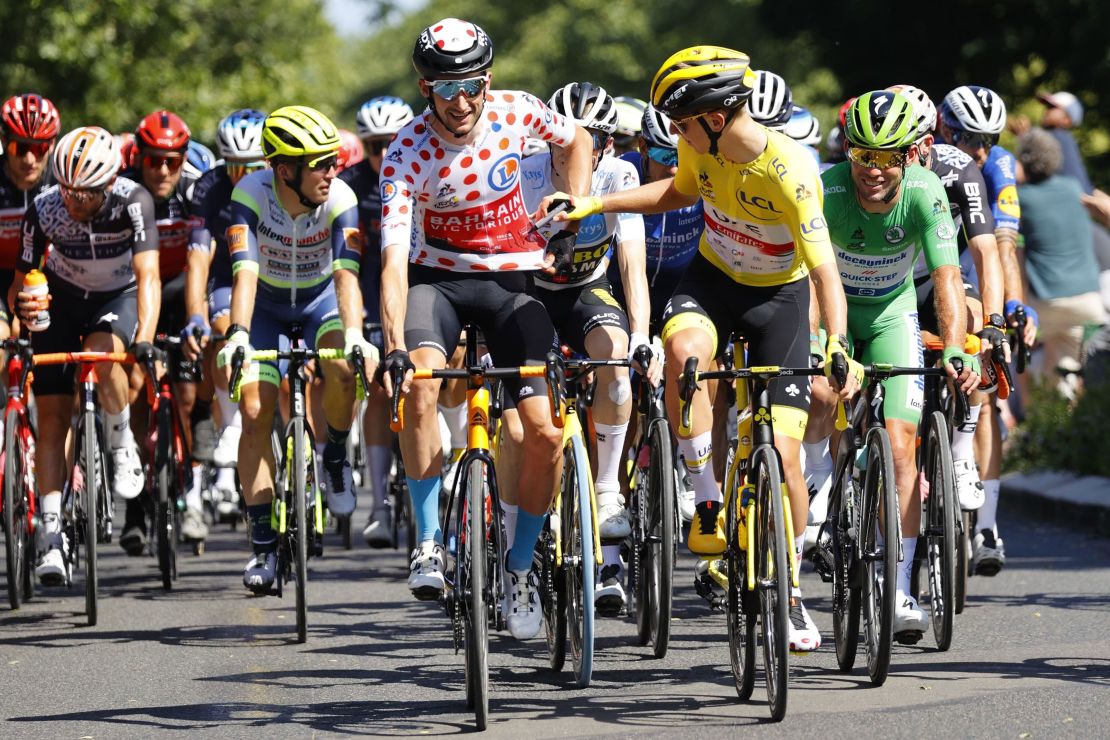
x,y
847,596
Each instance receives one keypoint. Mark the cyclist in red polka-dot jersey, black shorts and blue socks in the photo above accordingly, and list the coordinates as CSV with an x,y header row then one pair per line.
x,y
458,247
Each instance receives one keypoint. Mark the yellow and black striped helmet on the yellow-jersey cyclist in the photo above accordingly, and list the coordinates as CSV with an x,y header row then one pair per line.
x,y
702,79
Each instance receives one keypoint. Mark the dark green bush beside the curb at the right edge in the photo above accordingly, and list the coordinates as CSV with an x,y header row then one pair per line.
x,y
1055,437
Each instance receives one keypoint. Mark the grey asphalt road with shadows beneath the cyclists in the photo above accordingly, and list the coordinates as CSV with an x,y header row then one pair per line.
x,y
1031,658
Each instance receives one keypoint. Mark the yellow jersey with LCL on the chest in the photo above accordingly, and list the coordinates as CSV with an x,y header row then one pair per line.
x,y
764,224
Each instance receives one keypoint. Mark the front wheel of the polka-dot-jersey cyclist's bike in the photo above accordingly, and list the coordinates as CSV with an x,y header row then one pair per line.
x,y
477,622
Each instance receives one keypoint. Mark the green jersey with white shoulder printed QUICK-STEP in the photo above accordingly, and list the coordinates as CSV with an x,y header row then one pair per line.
x,y
876,252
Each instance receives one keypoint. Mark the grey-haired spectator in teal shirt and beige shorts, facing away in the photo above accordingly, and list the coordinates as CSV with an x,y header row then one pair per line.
x,y
1061,265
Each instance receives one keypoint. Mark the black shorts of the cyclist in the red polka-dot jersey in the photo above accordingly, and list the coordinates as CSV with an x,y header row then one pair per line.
x,y
504,306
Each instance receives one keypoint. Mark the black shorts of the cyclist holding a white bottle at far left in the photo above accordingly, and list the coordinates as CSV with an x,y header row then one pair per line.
x,y
73,319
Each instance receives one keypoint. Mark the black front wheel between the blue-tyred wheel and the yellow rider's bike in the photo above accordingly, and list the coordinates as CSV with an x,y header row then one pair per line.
x,y
661,546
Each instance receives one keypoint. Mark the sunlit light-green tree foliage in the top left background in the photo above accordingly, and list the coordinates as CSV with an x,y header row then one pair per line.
x,y
110,63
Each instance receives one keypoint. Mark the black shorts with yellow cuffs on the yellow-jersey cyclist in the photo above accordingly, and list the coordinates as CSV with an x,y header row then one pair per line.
x,y
774,320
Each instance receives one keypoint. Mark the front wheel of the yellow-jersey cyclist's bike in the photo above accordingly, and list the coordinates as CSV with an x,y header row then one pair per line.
x,y
774,574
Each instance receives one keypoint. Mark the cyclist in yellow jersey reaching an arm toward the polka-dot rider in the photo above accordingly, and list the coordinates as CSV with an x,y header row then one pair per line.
x,y
764,235
